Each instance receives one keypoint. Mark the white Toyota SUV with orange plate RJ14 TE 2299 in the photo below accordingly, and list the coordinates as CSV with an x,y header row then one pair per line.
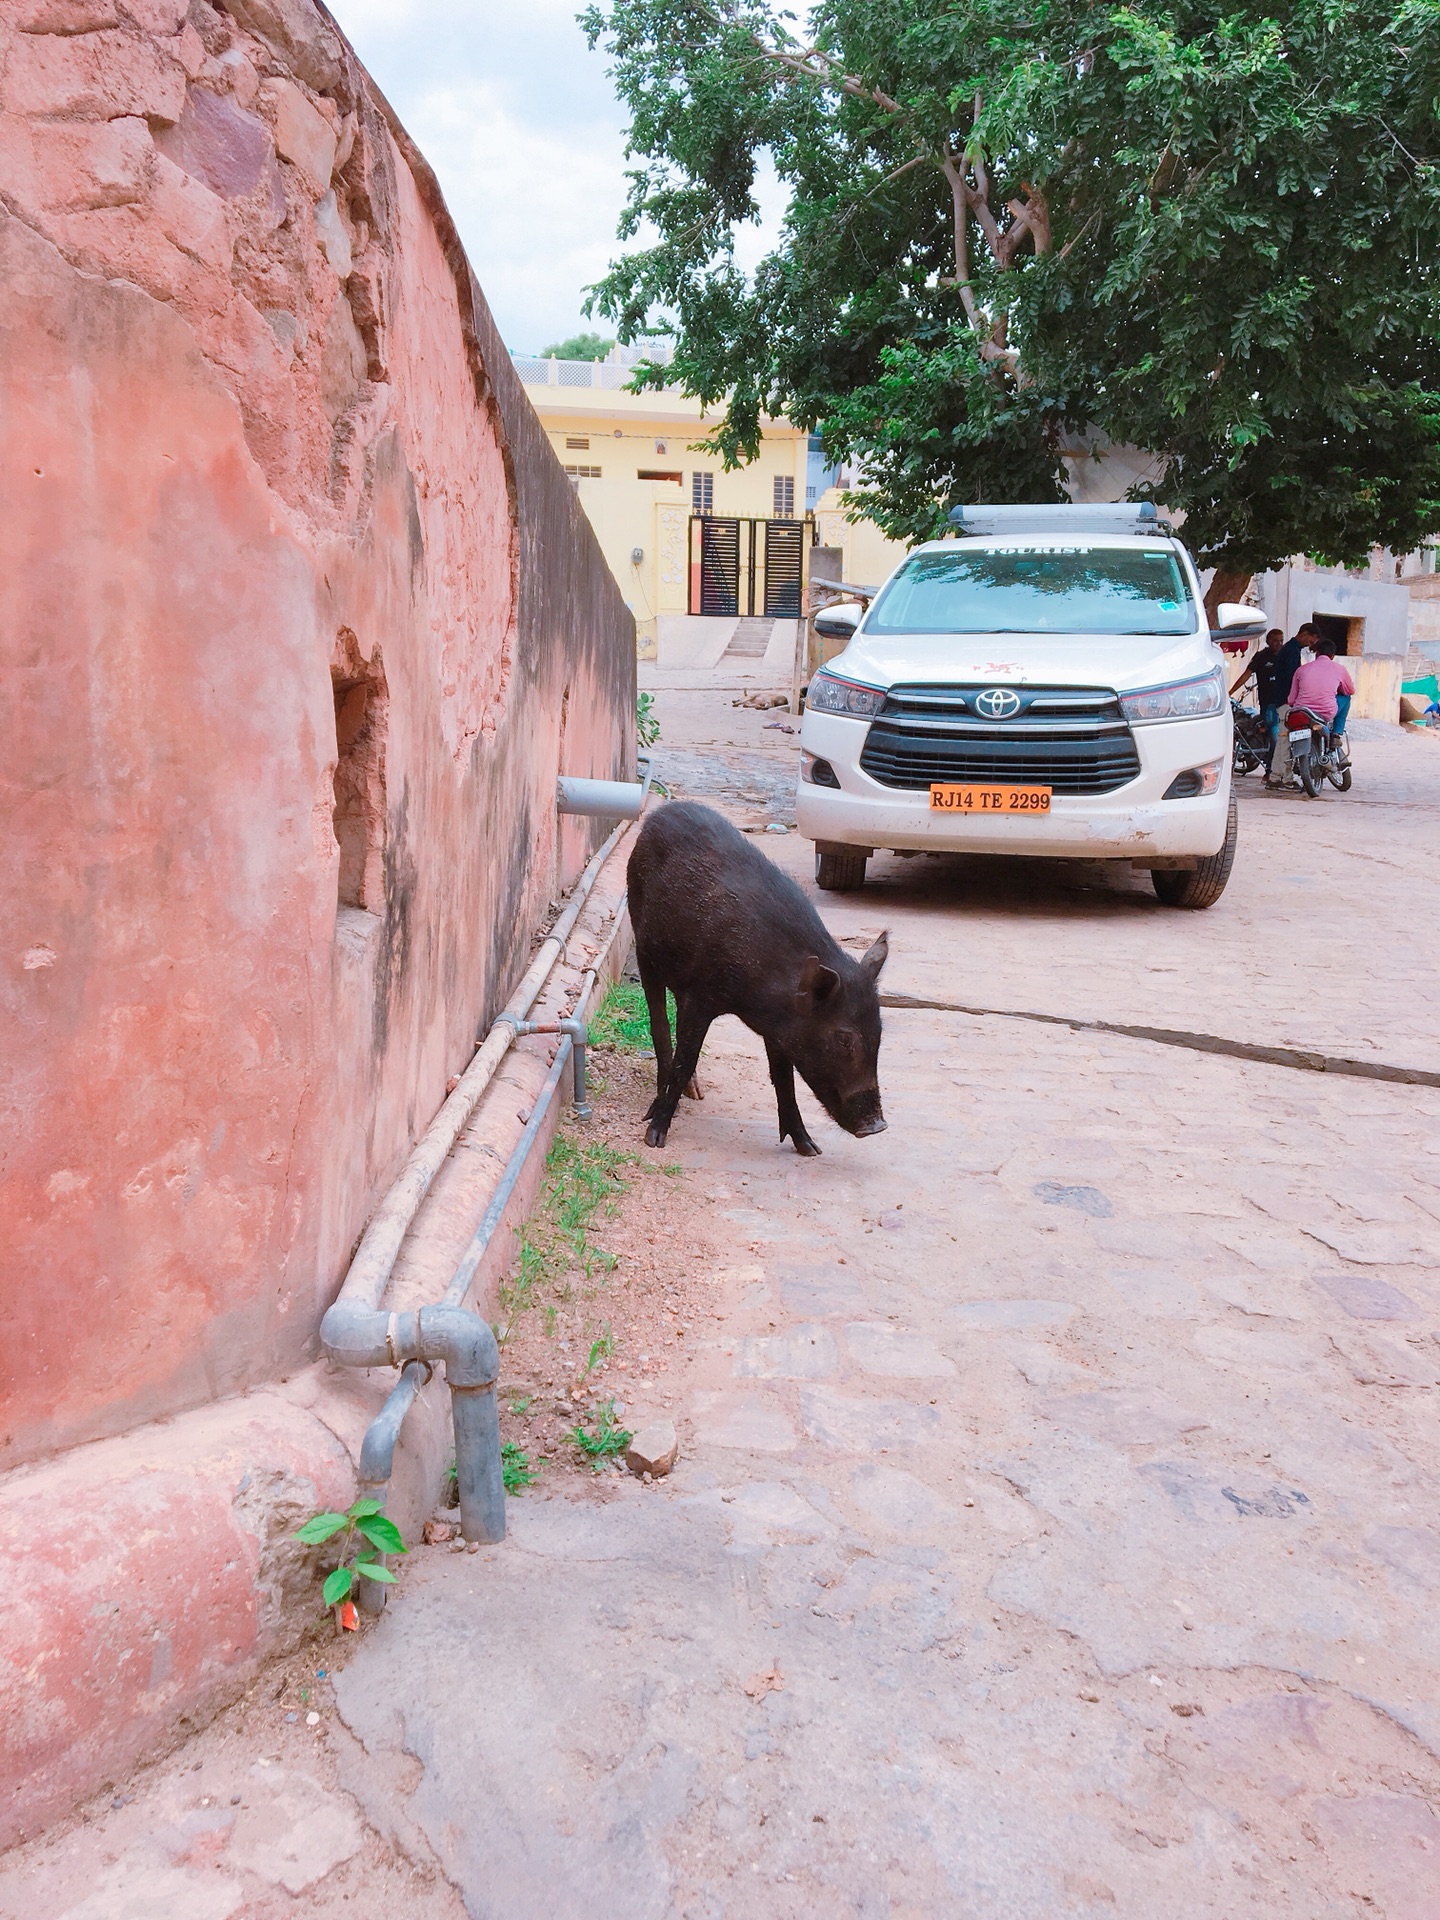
x,y
1042,684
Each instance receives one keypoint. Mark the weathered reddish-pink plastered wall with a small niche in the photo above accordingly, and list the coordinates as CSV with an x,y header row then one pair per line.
x,y
268,489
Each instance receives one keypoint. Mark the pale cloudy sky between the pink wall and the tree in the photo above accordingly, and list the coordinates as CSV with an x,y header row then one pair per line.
x,y
527,137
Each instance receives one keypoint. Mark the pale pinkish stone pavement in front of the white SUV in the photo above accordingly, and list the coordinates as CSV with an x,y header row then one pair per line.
x,y
1053,1533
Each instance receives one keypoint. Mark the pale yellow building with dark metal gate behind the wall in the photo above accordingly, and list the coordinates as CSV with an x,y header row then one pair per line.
x,y
683,537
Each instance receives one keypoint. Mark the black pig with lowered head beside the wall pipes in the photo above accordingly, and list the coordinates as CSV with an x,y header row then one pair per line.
x,y
729,934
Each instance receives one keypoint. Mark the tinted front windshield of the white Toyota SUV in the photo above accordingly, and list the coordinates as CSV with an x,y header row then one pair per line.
x,y
1038,590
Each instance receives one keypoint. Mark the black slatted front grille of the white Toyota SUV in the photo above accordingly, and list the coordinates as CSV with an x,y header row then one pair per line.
x,y
1072,740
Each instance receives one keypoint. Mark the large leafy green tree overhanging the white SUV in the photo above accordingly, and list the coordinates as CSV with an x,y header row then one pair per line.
x,y
1019,231
